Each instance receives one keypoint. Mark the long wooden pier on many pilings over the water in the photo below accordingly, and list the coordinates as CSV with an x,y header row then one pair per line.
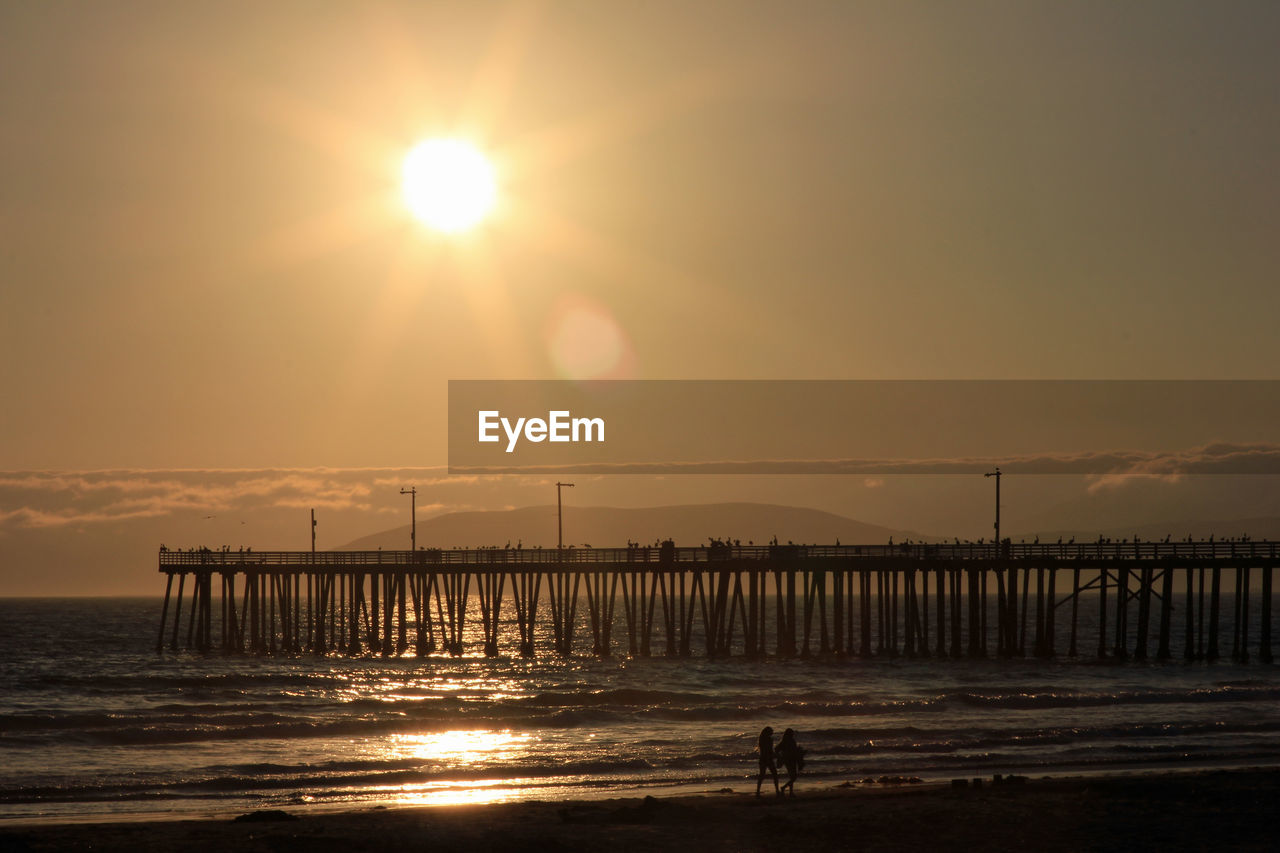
x,y
1154,600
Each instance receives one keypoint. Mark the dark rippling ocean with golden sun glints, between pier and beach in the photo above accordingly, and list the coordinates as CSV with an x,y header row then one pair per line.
x,y
95,724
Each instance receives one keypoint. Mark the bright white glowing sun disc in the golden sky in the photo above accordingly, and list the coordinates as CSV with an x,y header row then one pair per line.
x,y
449,185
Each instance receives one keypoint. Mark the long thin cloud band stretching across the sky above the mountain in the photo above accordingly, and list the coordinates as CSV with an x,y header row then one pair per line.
x,y
63,499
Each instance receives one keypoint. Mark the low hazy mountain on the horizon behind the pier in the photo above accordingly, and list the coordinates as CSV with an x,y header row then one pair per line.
x,y
607,527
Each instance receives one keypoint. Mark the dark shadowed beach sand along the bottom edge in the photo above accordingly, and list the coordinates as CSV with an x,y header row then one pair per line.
x,y
1212,810
